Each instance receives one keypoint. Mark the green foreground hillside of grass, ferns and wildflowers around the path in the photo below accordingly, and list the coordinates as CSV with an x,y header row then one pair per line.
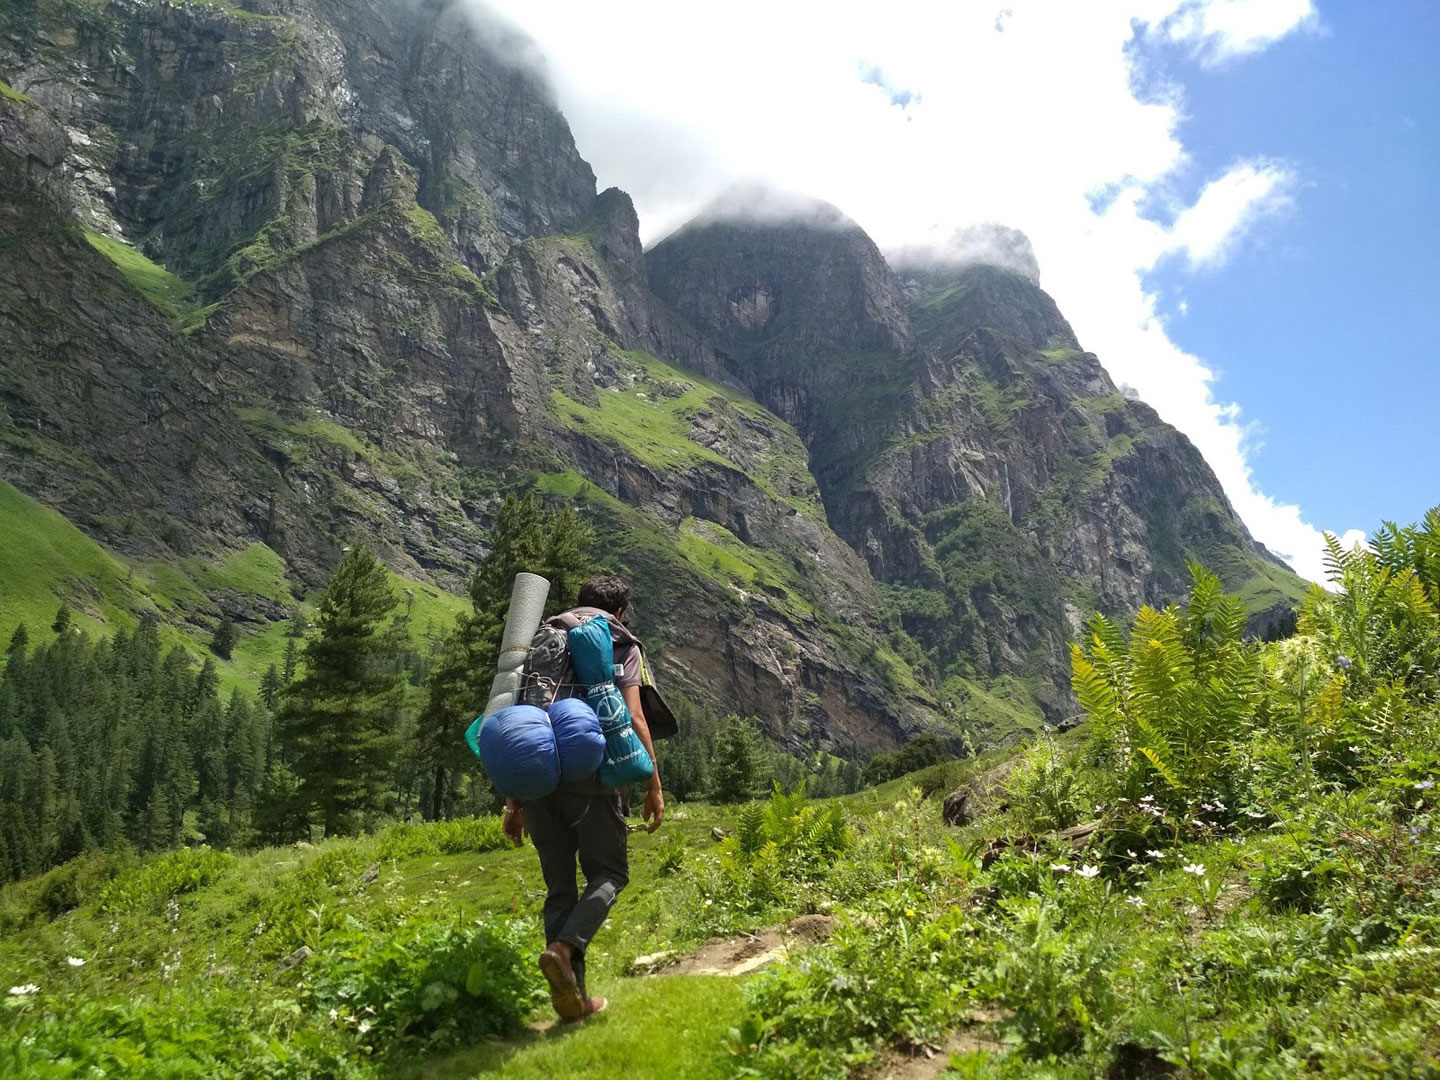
x,y
1232,872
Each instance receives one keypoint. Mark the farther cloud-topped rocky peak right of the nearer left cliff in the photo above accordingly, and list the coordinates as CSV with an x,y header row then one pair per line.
x,y
997,483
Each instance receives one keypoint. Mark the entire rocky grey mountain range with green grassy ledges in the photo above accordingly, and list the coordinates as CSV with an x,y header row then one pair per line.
x,y
294,273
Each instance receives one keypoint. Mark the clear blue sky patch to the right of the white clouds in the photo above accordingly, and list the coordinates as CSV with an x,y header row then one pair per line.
x,y
1323,328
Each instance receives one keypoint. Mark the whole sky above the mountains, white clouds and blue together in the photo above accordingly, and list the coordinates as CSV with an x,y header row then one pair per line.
x,y
1232,201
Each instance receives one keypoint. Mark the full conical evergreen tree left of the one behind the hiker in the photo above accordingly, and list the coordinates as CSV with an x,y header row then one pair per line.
x,y
339,724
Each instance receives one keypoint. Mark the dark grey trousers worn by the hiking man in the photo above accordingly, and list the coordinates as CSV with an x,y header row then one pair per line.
x,y
564,826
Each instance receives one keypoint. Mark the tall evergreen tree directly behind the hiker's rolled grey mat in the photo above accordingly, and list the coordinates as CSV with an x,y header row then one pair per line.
x,y
526,538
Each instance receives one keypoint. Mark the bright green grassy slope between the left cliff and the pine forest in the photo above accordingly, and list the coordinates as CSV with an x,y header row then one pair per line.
x,y
48,561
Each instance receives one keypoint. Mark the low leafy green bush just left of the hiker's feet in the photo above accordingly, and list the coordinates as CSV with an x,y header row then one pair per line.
x,y
430,983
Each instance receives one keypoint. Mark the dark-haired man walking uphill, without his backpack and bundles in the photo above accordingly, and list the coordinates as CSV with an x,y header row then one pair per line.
x,y
585,820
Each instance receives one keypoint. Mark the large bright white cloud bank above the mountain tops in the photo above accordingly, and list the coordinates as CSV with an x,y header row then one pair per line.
x,y
925,119
